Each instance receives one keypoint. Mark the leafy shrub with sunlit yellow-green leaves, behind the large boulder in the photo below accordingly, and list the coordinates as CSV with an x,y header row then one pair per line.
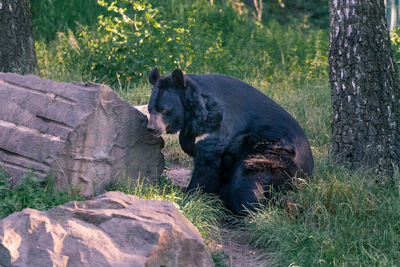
x,y
127,41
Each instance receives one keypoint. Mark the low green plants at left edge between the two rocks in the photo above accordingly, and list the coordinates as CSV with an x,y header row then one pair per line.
x,y
32,192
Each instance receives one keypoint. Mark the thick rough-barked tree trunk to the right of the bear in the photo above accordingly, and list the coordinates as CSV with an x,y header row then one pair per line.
x,y
364,86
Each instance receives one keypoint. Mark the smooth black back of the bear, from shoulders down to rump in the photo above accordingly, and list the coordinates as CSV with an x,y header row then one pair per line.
x,y
248,109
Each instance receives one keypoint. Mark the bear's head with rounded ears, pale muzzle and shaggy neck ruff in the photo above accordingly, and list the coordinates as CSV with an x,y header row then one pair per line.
x,y
176,103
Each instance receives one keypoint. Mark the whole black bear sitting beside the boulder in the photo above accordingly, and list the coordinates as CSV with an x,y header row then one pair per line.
x,y
243,143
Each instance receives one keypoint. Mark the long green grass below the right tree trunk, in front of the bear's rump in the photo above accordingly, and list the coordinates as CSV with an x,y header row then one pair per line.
x,y
341,218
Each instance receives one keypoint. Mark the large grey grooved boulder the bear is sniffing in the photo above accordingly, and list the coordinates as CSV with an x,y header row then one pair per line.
x,y
80,132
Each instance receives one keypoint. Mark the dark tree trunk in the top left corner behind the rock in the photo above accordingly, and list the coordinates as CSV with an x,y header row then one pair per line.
x,y
17,47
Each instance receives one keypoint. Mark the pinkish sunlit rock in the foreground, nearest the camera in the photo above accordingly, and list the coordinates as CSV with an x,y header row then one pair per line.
x,y
113,229
